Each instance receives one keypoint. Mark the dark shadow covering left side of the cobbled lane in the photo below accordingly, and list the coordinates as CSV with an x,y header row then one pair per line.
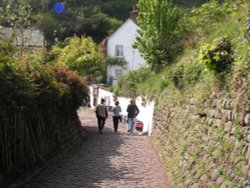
x,y
89,166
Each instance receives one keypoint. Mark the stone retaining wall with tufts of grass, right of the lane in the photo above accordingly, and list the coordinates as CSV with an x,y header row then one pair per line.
x,y
205,145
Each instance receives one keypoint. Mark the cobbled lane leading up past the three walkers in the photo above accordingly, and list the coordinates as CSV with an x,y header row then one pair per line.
x,y
107,160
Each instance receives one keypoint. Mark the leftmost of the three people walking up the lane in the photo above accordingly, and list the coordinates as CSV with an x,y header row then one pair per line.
x,y
101,115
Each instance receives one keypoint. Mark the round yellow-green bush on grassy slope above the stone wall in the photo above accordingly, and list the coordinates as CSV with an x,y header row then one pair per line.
x,y
217,57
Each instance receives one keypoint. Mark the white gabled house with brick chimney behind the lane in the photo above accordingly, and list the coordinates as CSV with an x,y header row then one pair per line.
x,y
120,45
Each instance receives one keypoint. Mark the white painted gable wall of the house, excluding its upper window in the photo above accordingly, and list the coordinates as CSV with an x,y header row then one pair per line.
x,y
125,36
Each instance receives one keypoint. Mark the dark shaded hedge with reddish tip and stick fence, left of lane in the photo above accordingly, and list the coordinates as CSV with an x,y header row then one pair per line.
x,y
35,98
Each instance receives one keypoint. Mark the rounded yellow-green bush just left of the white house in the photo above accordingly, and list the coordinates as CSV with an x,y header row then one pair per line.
x,y
81,55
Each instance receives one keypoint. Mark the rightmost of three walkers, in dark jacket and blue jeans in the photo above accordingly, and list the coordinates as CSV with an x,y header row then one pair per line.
x,y
132,111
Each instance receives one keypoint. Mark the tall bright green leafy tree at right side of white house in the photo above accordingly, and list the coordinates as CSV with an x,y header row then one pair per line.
x,y
159,31
